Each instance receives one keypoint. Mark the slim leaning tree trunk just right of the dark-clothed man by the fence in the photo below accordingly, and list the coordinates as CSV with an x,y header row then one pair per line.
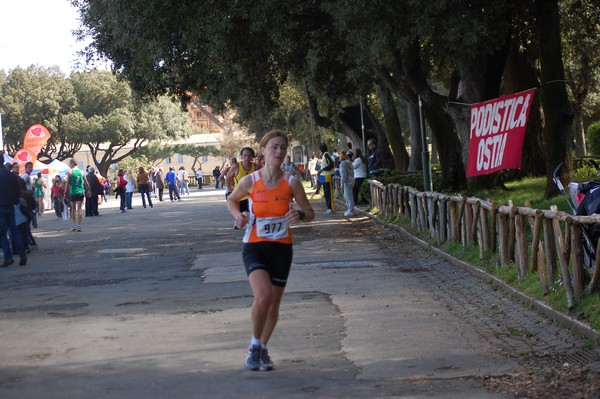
x,y
392,127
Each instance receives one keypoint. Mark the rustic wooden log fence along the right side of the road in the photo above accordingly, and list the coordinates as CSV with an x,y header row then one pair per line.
x,y
554,246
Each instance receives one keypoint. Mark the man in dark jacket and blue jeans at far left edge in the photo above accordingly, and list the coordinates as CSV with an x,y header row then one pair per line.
x,y
9,196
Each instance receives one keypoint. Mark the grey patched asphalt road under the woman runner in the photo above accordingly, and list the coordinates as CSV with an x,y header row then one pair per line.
x,y
154,303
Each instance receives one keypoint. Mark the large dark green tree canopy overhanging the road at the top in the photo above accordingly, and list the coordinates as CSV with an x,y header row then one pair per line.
x,y
450,54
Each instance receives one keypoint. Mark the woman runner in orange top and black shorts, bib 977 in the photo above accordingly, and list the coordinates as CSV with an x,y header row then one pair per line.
x,y
267,244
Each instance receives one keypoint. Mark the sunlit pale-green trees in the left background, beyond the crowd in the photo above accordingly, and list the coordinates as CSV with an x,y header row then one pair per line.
x,y
93,109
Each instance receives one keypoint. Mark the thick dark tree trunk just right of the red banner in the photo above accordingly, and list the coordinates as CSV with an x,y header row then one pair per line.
x,y
558,113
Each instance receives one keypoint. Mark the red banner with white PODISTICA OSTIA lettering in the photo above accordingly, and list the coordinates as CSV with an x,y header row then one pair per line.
x,y
497,133
